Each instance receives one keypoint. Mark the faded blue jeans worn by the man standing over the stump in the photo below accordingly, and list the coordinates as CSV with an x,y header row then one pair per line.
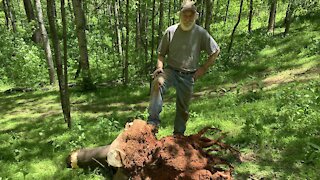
x,y
183,83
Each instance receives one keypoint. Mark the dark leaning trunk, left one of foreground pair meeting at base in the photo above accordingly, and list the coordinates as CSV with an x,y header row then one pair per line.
x,y
52,24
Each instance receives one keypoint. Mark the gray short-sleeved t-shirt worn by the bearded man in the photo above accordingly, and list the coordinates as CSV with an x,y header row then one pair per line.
x,y
183,47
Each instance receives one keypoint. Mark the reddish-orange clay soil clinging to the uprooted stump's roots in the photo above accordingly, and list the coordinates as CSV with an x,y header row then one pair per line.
x,y
172,157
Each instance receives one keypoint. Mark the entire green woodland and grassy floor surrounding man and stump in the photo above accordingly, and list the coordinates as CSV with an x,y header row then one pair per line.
x,y
93,60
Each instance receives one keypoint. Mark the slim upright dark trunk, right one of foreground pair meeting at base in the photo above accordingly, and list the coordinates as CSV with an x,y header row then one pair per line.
x,y
66,96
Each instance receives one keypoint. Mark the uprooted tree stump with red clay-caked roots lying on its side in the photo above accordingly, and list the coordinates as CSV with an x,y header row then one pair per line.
x,y
139,155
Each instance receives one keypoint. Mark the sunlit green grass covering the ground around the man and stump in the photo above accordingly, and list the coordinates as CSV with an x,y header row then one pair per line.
x,y
268,100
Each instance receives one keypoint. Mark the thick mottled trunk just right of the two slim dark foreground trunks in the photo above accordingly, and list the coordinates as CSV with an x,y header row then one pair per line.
x,y
82,43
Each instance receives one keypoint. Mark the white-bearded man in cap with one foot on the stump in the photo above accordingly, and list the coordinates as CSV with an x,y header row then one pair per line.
x,y
182,43
